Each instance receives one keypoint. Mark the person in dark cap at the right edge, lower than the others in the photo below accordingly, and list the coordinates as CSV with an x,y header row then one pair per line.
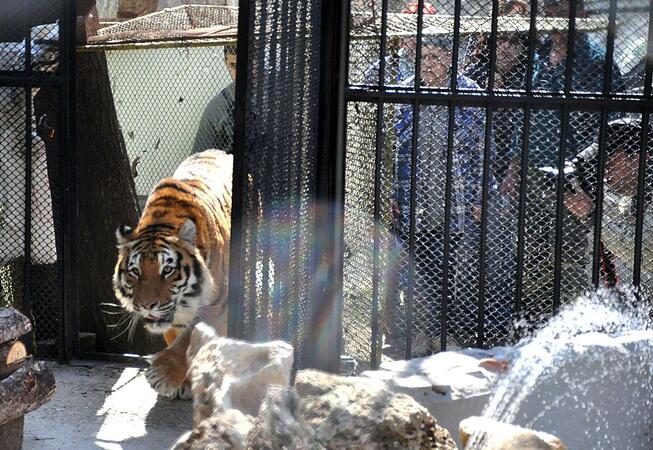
x,y
622,150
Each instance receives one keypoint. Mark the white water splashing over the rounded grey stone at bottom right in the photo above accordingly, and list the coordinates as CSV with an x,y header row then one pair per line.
x,y
549,370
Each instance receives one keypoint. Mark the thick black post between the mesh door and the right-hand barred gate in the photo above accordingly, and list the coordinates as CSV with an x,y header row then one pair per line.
x,y
328,241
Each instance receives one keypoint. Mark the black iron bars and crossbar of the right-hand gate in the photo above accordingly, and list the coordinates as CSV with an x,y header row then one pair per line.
x,y
564,101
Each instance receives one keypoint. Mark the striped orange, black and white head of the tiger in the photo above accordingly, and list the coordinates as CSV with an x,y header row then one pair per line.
x,y
161,275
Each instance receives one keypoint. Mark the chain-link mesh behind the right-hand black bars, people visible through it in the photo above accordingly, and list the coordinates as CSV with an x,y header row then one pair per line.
x,y
458,224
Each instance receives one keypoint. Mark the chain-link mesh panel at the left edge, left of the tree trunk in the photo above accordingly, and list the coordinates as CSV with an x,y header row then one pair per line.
x,y
30,219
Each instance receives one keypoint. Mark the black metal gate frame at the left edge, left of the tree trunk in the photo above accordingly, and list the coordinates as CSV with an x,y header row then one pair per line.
x,y
63,81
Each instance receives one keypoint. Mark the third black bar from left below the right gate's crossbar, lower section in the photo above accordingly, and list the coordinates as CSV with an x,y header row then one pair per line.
x,y
447,226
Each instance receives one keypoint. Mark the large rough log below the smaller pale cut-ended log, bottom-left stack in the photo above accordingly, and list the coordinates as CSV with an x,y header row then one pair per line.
x,y
25,390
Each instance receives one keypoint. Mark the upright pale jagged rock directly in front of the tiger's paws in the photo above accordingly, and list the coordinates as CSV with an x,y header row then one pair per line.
x,y
230,380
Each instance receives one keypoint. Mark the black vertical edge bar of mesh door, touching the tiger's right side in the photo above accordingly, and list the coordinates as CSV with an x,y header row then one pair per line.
x,y
237,249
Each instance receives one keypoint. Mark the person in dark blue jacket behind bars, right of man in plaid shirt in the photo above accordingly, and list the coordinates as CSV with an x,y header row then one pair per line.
x,y
538,286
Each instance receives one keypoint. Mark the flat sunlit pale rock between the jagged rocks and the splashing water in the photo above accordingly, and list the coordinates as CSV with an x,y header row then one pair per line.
x,y
450,385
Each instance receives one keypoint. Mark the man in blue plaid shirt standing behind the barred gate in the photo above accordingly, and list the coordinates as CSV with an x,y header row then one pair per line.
x,y
431,169
